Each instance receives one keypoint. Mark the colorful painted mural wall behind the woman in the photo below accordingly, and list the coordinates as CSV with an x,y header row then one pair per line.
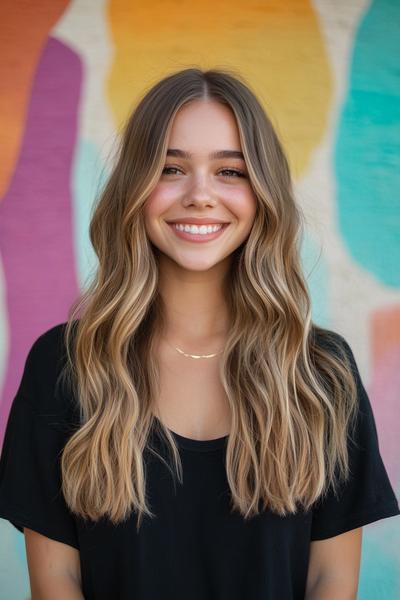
x,y
327,73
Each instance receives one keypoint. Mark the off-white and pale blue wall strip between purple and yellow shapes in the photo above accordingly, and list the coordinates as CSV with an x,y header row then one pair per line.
x,y
83,27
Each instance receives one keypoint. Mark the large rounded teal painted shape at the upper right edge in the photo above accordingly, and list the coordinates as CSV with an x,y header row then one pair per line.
x,y
367,149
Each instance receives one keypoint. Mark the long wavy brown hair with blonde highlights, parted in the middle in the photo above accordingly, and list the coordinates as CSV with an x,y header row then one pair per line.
x,y
288,381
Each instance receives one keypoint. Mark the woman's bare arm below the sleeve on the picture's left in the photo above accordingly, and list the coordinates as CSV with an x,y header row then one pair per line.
x,y
54,568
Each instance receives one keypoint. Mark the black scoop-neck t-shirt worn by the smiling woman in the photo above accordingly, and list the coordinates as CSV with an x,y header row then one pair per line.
x,y
195,547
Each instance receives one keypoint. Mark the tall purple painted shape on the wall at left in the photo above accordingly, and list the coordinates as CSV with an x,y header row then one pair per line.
x,y
36,227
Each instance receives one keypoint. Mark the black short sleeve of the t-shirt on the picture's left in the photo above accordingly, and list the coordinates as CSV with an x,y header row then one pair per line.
x,y
30,480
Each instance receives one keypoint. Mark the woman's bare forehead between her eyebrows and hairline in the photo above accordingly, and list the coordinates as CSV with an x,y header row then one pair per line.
x,y
205,125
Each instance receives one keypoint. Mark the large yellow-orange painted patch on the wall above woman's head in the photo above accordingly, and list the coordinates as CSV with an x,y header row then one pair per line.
x,y
276,46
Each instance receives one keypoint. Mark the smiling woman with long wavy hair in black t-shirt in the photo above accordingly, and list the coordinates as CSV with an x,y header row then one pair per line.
x,y
189,432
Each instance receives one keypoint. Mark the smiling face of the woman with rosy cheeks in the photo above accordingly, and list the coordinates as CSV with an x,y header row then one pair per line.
x,y
198,185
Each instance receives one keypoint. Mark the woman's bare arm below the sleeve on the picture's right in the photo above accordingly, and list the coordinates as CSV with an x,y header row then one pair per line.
x,y
334,567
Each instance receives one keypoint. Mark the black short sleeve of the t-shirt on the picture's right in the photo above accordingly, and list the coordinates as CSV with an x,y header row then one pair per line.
x,y
367,495
